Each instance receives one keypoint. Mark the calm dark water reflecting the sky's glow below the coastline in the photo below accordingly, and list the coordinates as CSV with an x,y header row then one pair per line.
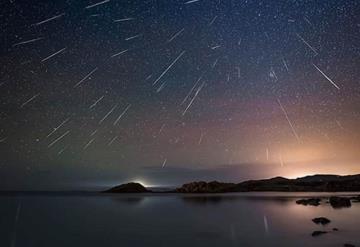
x,y
256,219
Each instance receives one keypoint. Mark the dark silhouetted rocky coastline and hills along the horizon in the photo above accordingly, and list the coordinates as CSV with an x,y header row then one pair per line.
x,y
316,183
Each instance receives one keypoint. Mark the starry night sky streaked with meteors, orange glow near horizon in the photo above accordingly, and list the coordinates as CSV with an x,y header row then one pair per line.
x,y
96,93
